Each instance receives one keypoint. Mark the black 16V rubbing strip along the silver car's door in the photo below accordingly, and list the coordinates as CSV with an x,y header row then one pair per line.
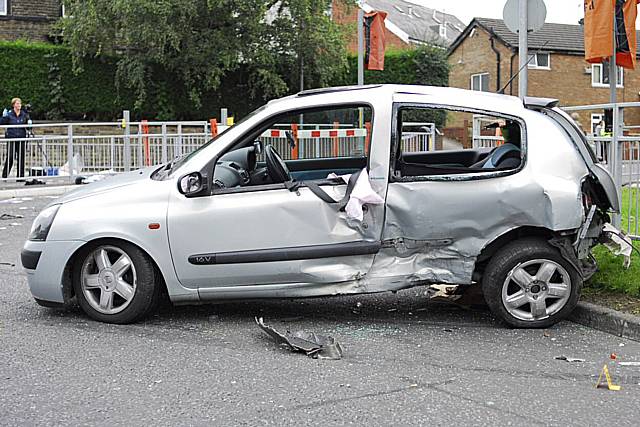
x,y
293,253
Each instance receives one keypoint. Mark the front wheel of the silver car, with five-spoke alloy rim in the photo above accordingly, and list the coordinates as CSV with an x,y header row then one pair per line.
x,y
115,283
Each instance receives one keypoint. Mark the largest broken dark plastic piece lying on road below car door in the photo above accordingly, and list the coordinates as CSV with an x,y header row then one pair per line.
x,y
312,344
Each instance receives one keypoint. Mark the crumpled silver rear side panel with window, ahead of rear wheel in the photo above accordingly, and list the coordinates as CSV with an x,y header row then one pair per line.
x,y
445,205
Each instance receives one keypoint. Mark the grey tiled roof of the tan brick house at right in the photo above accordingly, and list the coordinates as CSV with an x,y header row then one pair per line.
x,y
551,37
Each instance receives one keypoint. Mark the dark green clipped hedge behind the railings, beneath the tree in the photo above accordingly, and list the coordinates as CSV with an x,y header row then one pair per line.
x,y
42,74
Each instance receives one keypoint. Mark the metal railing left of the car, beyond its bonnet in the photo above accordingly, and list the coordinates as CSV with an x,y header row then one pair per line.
x,y
63,151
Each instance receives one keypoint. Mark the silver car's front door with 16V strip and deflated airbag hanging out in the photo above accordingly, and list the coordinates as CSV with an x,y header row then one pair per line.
x,y
268,234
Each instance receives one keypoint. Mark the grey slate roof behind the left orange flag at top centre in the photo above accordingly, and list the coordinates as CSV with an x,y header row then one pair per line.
x,y
418,23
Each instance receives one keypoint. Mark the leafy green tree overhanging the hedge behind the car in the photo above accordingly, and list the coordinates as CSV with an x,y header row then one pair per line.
x,y
197,42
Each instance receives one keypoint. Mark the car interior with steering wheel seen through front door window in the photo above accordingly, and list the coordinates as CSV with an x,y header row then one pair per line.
x,y
261,159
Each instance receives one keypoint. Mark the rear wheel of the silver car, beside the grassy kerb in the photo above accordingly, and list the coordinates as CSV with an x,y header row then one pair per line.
x,y
528,284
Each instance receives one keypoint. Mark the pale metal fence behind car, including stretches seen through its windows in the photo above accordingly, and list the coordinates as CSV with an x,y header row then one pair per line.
x,y
63,151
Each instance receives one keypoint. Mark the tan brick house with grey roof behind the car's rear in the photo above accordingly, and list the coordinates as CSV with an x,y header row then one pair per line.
x,y
485,57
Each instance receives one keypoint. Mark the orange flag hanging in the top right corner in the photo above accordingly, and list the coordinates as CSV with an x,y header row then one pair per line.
x,y
599,27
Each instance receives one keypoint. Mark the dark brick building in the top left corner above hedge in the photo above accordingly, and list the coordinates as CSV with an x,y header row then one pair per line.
x,y
28,19
